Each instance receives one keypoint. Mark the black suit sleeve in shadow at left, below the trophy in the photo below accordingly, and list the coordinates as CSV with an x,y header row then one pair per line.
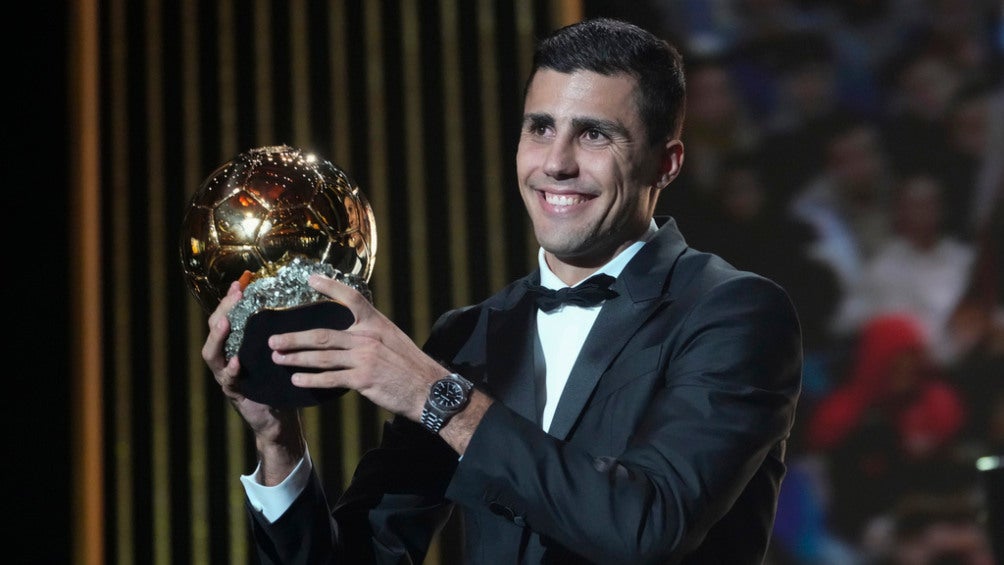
x,y
391,512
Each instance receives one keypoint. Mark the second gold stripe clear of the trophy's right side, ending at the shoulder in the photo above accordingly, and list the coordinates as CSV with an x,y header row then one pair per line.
x,y
456,166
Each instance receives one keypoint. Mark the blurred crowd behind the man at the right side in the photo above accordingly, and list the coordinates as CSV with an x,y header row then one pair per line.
x,y
854,152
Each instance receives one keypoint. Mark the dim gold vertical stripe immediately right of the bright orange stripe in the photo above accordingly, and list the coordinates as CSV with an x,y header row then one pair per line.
x,y
122,325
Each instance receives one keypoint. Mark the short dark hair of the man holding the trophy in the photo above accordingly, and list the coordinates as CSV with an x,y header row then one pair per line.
x,y
608,47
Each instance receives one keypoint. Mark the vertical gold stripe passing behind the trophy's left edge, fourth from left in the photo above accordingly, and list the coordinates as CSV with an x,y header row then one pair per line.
x,y
198,471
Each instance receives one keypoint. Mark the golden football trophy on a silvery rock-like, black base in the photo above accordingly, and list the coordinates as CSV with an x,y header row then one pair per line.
x,y
271,218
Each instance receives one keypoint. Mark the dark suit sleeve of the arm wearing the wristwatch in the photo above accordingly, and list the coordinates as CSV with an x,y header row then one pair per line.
x,y
725,404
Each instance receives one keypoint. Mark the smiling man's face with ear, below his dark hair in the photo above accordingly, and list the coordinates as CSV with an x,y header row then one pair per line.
x,y
588,174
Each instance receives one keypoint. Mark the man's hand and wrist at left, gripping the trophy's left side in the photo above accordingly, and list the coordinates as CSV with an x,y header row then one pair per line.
x,y
278,433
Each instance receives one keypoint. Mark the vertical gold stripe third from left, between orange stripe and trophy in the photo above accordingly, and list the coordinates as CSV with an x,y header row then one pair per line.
x,y
160,394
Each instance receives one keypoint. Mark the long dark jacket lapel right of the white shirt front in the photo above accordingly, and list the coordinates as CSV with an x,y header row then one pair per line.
x,y
643,288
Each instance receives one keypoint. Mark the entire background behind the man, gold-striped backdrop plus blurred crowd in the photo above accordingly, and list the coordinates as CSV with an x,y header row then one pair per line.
x,y
850,151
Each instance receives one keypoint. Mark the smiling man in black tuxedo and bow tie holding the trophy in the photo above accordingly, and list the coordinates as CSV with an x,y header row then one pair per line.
x,y
648,428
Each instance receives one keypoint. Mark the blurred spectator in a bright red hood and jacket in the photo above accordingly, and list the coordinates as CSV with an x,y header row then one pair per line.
x,y
889,429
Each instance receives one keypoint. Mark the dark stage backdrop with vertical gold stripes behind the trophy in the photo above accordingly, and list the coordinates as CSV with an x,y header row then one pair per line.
x,y
418,101
